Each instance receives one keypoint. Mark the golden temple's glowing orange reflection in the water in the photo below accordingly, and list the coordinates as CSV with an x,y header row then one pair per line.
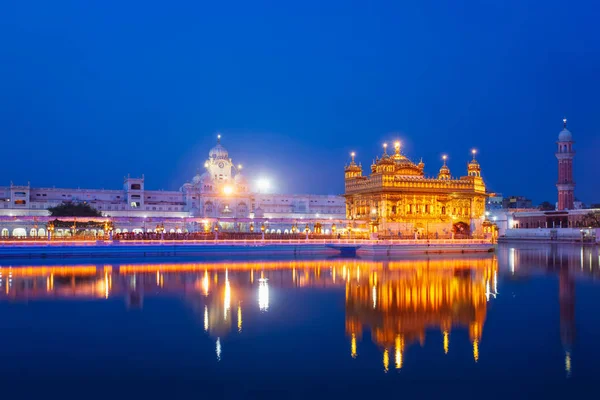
x,y
400,304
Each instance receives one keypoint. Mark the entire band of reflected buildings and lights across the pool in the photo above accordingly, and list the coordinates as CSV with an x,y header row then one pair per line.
x,y
399,302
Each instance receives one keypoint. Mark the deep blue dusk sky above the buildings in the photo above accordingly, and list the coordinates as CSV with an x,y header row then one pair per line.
x,y
91,91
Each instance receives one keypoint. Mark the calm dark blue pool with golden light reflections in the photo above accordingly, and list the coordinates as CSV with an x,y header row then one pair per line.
x,y
525,317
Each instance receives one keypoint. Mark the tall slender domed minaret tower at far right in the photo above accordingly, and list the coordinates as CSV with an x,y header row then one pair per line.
x,y
565,154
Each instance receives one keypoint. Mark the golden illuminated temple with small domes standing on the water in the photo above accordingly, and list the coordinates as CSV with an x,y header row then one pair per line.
x,y
398,199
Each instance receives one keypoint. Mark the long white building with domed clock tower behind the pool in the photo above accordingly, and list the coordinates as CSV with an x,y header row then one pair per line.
x,y
220,193
